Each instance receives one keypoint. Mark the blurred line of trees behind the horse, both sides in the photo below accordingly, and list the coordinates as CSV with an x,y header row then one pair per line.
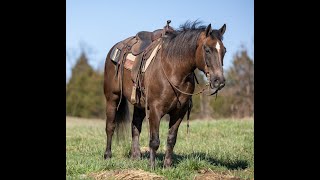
x,y
85,98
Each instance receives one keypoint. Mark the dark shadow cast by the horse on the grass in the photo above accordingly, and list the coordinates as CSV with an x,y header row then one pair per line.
x,y
239,164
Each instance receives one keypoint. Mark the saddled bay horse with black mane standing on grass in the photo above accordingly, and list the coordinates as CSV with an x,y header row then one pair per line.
x,y
169,83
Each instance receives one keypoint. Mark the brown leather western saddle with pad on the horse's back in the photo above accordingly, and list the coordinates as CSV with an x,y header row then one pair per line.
x,y
141,45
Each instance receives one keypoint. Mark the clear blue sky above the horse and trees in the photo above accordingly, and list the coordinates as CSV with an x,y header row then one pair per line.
x,y
97,25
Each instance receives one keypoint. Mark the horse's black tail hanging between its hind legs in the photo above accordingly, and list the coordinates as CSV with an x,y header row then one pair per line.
x,y
122,120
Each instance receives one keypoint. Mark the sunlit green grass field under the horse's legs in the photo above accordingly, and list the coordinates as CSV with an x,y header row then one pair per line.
x,y
222,146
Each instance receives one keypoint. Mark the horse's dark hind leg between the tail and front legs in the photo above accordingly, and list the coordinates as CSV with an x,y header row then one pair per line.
x,y
138,116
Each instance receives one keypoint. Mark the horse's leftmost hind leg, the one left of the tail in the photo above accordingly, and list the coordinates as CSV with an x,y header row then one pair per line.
x,y
110,123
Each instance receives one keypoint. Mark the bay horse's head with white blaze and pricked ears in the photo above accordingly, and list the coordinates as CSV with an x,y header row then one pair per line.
x,y
209,57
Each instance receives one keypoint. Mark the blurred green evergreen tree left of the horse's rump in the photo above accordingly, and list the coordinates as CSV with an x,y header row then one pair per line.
x,y
84,91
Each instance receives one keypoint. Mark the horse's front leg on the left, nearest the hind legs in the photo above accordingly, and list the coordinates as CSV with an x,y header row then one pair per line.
x,y
154,122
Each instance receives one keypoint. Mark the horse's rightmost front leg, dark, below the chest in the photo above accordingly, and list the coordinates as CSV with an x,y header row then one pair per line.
x,y
175,120
